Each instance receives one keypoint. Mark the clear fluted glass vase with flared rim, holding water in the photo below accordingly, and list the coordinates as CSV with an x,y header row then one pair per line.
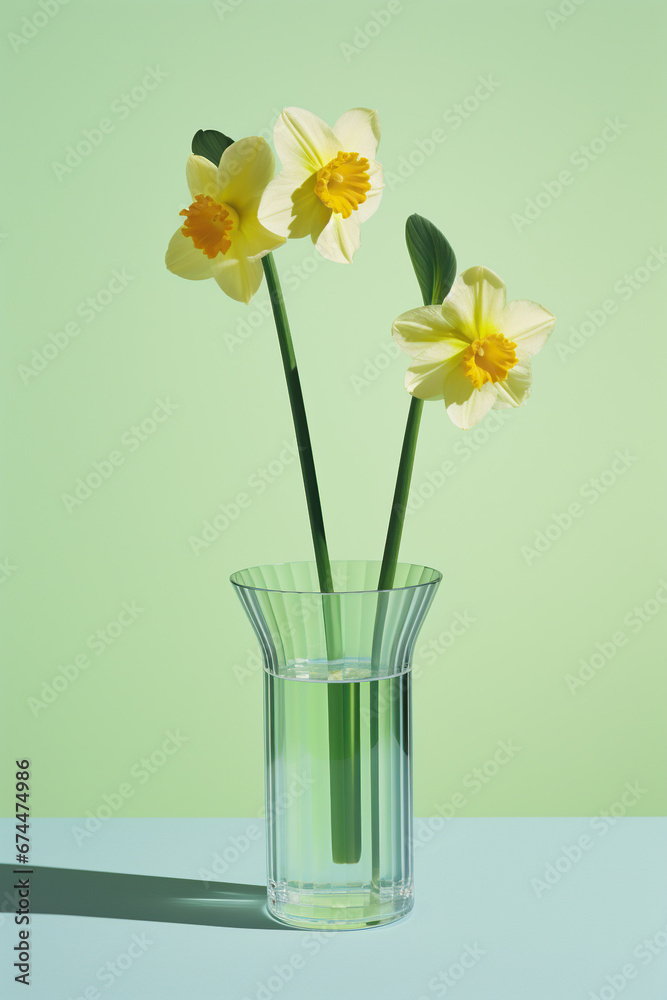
x,y
338,737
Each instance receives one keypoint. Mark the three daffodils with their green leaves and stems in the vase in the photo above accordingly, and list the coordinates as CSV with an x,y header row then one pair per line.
x,y
468,346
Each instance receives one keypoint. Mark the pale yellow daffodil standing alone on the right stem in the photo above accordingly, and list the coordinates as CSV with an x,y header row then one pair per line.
x,y
474,350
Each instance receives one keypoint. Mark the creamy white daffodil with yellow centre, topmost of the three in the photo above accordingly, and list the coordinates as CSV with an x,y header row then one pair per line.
x,y
330,182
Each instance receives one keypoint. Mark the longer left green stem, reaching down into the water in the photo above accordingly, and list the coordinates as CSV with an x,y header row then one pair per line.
x,y
343,699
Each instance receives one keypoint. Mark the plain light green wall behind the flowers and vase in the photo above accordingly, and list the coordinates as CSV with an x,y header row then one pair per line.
x,y
187,662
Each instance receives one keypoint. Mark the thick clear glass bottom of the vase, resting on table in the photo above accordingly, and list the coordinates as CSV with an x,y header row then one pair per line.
x,y
345,910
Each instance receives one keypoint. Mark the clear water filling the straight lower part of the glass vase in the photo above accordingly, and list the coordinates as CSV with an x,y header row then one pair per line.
x,y
339,803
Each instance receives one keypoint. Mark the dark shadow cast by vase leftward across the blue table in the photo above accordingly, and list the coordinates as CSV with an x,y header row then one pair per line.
x,y
145,897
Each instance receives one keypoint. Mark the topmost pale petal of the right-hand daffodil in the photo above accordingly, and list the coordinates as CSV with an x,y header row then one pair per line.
x,y
475,303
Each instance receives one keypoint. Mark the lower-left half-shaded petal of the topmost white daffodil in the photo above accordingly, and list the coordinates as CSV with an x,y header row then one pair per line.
x,y
290,207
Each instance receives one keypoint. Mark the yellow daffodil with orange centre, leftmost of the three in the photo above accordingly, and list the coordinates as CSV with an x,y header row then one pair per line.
x,y
222,237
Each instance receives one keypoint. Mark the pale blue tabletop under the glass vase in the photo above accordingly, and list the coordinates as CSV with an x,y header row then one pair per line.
x,y
506,909
